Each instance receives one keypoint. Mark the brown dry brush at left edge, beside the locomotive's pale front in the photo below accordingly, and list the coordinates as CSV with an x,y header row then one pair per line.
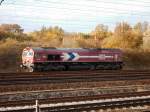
x,y
10,55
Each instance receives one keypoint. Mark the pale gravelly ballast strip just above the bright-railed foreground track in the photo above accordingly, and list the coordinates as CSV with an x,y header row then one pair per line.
x,y
44,94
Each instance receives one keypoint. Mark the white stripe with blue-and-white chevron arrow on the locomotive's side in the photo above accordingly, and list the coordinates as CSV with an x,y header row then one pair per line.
x,y
75,56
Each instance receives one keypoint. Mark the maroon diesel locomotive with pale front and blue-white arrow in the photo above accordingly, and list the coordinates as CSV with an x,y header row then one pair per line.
x,y
43,59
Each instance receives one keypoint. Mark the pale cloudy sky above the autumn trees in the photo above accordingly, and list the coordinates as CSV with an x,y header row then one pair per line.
x,y
73,15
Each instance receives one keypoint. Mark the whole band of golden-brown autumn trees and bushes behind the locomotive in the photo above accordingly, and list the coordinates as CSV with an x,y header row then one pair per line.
x,y
133,40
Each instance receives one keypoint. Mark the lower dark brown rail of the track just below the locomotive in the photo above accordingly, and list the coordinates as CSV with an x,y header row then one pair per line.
x,y
69,80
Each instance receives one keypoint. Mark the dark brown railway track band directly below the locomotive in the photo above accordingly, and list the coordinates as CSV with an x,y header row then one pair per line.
x,y
71,76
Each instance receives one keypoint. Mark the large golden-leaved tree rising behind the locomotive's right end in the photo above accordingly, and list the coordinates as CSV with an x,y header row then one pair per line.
x,y
125,37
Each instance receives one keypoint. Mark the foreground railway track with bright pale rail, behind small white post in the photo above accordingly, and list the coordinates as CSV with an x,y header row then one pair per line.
x,y
82,103
